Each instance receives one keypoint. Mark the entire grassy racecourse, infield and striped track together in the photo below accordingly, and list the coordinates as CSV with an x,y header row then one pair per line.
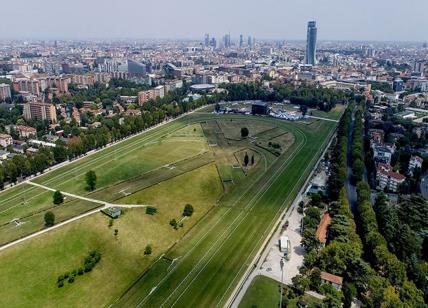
x,y
167,167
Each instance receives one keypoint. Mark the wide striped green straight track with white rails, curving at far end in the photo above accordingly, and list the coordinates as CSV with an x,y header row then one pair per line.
x,y
209,264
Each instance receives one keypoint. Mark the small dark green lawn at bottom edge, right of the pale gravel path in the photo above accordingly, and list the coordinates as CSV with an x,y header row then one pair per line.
x,y
262,292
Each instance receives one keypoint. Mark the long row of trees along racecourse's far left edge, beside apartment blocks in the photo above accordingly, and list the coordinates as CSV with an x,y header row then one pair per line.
x,y
111,129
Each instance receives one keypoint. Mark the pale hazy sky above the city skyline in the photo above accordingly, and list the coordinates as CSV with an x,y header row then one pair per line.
x,y
271,19
